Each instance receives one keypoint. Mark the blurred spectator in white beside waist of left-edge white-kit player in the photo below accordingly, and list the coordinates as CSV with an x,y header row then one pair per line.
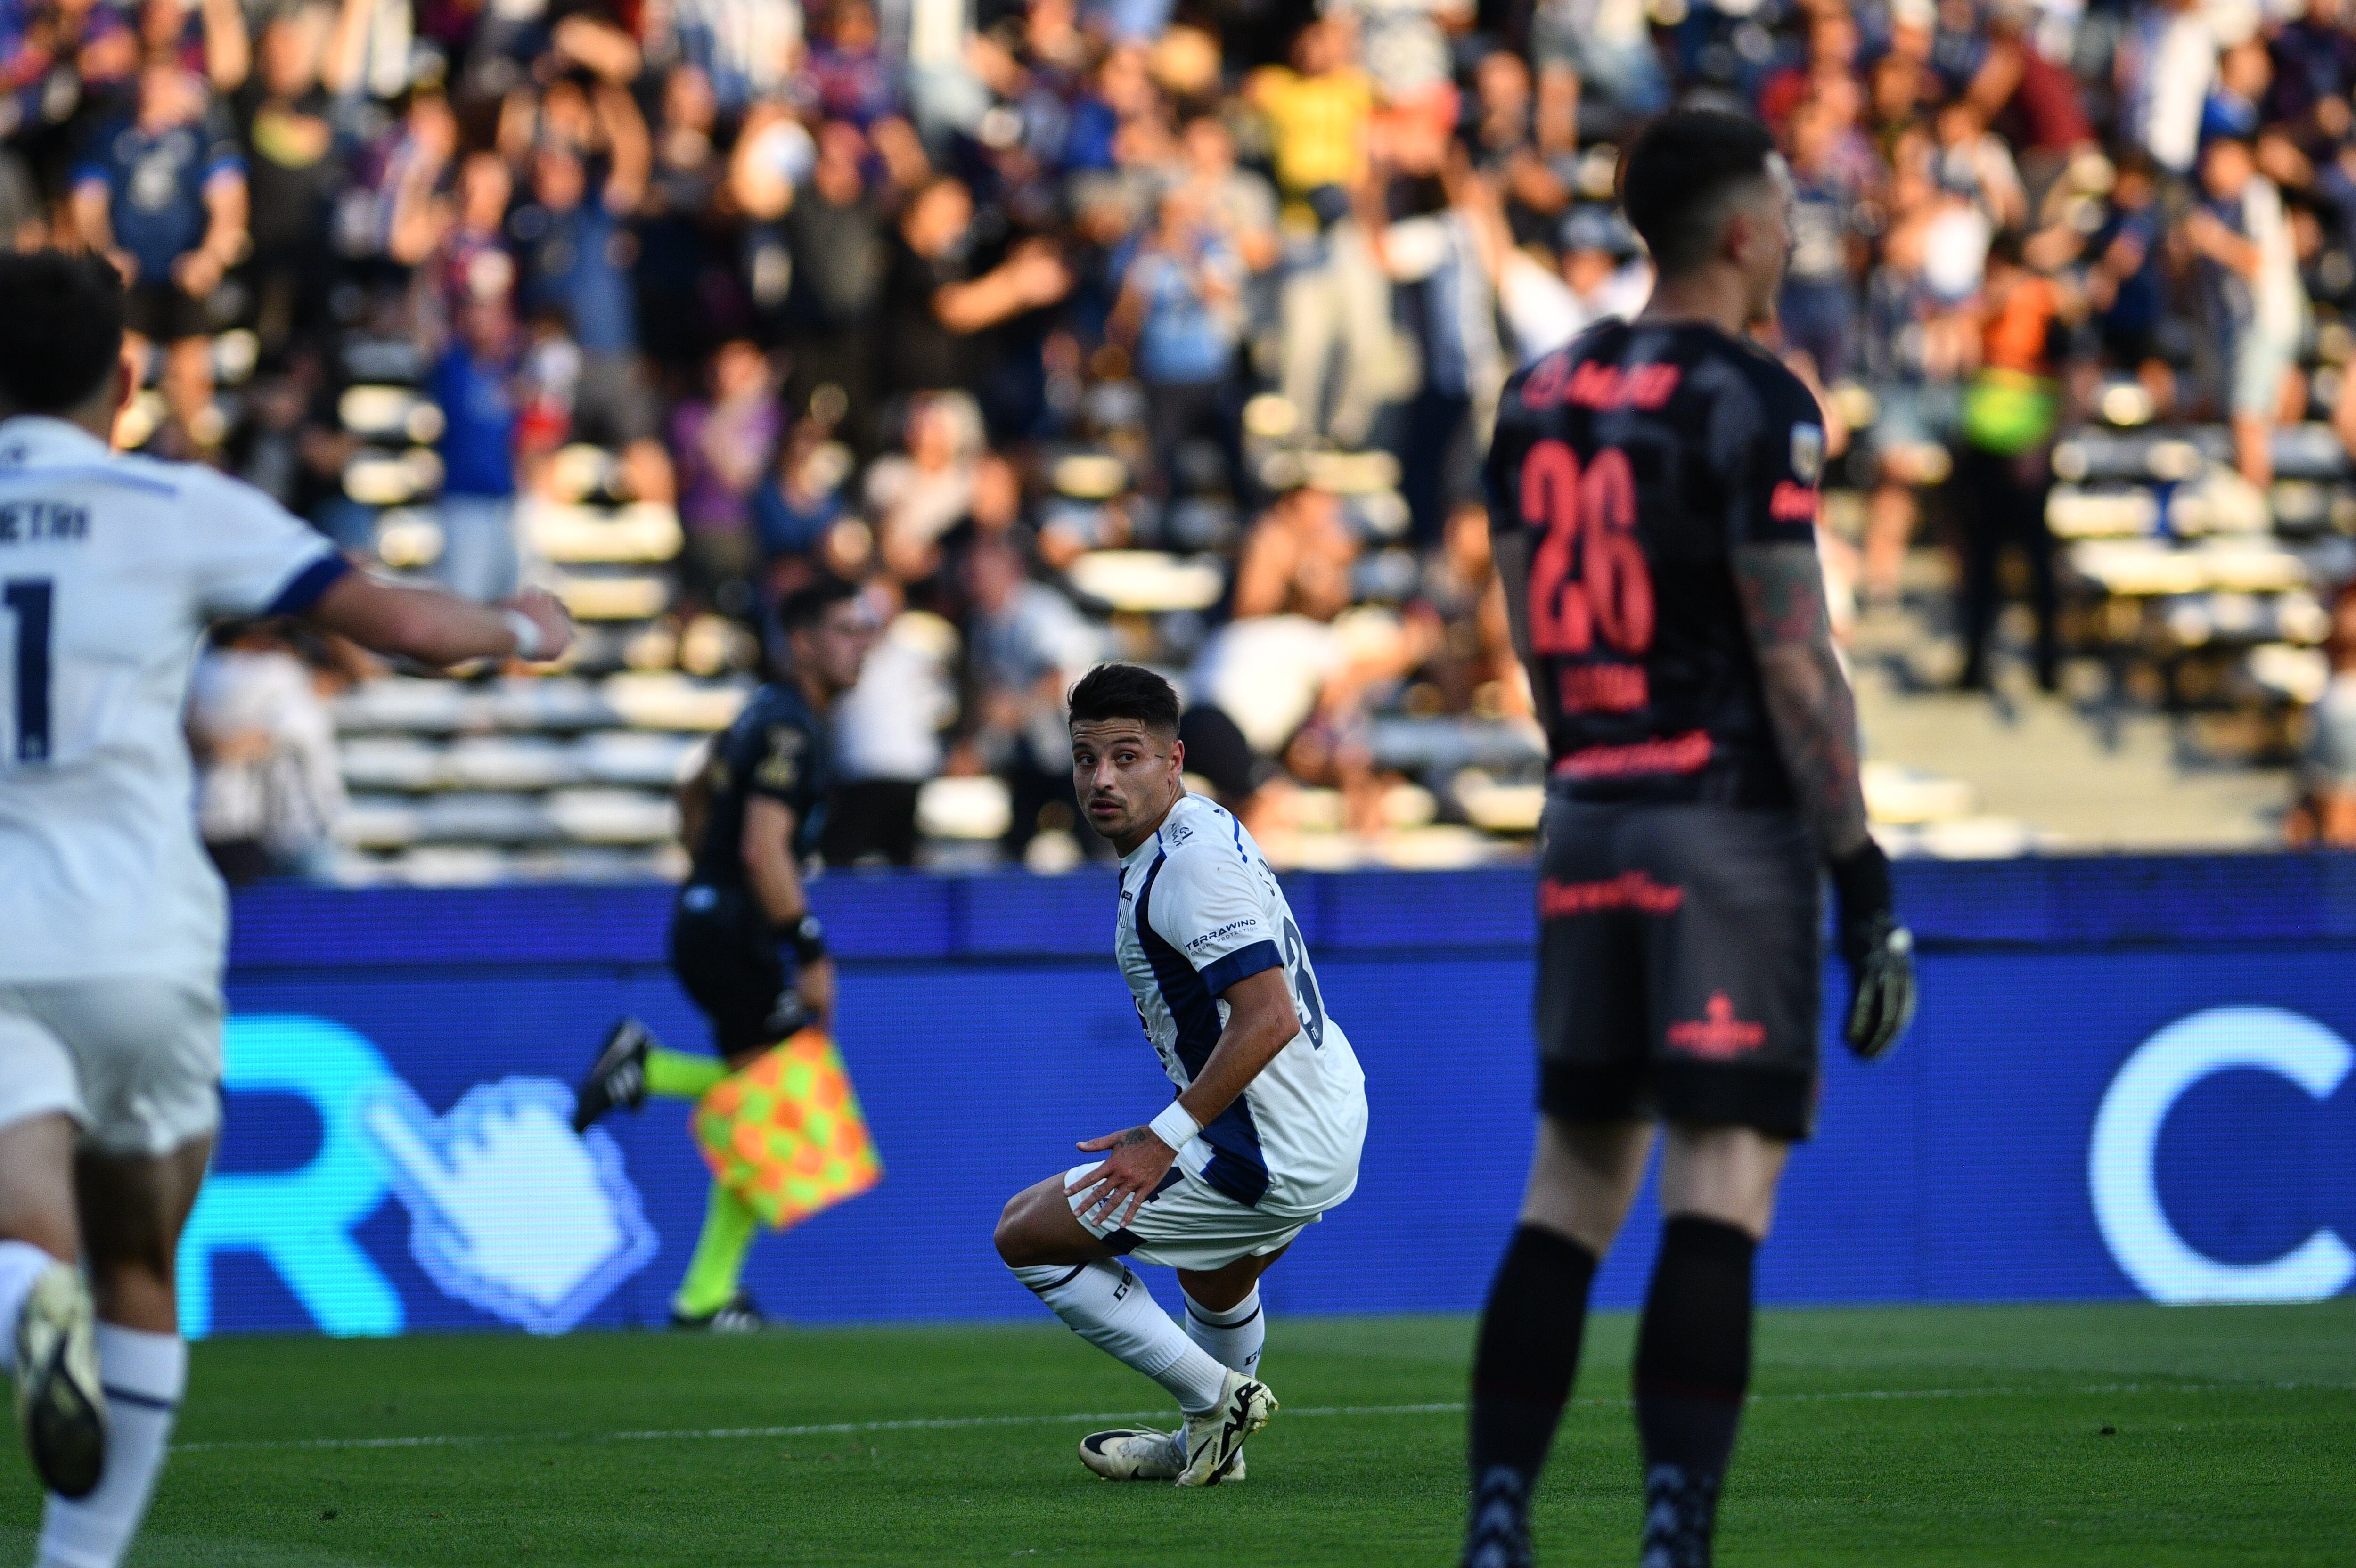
x,y
267,788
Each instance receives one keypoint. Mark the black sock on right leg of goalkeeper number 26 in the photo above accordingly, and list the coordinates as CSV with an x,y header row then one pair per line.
x,y
1693,1367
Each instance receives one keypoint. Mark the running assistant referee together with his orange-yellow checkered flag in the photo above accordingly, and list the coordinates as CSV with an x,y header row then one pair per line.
x,y
755,959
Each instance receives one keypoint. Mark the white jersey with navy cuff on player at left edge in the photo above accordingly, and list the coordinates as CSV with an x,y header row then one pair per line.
x,y
110,571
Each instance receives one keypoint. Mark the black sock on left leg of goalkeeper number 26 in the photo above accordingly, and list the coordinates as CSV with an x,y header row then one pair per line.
x,y
1523,1374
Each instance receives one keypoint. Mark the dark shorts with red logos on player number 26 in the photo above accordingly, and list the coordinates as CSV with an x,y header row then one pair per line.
x,y
1681,962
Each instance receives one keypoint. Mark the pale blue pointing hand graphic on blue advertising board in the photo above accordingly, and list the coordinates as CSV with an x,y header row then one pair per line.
x,y
510,1209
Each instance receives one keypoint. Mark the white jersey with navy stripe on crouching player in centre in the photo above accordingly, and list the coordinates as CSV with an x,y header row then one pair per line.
x,y
1200,910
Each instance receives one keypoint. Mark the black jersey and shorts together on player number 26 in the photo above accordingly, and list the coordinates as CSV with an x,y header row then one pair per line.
x,y
1681,948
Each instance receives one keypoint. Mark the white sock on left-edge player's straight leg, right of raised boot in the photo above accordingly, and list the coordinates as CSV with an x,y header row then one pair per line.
x,y
145,1378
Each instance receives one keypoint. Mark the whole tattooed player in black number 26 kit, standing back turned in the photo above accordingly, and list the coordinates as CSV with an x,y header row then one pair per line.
x,y
1653,491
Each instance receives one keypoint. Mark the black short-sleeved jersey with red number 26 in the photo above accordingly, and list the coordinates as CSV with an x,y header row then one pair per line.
x,y
1639,458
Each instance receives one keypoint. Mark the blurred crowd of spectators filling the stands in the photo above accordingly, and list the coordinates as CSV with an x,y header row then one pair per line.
x,y
953,295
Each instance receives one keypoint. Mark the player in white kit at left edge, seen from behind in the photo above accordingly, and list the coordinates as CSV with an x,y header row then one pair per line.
x,y
112,969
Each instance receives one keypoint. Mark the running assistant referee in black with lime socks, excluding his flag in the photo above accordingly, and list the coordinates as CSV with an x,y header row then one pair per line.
x,y
743,938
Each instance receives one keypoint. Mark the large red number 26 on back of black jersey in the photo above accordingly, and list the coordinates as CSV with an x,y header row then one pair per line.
x,y
1587,526
